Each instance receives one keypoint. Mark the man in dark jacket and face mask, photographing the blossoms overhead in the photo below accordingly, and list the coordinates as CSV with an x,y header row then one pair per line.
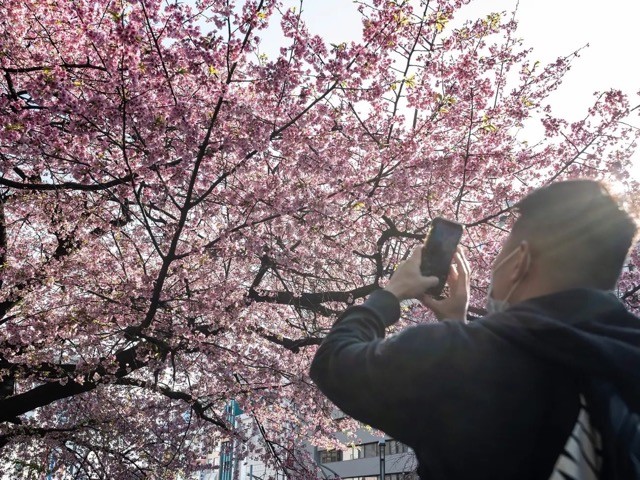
x,y
506,396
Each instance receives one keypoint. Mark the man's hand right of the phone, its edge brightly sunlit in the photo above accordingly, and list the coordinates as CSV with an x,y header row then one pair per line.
x,y
454,307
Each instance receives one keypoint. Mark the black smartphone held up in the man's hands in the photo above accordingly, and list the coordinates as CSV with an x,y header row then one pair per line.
x,y
437,252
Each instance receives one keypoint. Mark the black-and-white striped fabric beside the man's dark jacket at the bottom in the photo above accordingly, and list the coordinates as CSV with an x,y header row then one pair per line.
x,y
581,458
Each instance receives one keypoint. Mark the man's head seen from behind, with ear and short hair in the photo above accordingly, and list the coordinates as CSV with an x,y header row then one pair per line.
x,y
568,235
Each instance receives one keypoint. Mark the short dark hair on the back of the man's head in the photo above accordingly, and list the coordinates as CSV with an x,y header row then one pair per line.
x,y
579,229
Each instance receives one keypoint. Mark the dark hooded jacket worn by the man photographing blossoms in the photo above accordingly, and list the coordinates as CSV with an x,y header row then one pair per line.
x,y
493,399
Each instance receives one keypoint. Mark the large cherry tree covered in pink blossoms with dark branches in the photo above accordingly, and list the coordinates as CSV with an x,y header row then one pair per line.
x,y
183,216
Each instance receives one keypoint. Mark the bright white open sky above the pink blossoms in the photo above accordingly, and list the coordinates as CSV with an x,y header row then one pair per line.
x,y
553,28
